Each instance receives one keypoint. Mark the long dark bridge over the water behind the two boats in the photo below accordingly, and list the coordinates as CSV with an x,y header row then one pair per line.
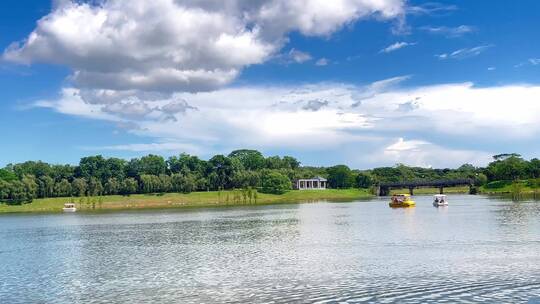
x,y
383,189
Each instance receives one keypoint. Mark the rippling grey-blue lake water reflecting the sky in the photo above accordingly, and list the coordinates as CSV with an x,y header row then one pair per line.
x,y
476,250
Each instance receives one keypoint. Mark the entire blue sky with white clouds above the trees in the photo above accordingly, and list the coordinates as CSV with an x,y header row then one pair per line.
x,y
365,83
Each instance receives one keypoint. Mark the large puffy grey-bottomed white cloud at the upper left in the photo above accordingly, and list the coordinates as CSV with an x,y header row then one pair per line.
x,y
168,45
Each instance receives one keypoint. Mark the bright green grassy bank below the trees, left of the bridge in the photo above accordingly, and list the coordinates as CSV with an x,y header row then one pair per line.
x,y
178,200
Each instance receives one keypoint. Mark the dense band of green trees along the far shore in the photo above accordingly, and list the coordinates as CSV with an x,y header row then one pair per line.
x,y
241,169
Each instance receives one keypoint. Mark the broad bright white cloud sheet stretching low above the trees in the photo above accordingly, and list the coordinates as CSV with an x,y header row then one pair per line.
x,y
338,119
